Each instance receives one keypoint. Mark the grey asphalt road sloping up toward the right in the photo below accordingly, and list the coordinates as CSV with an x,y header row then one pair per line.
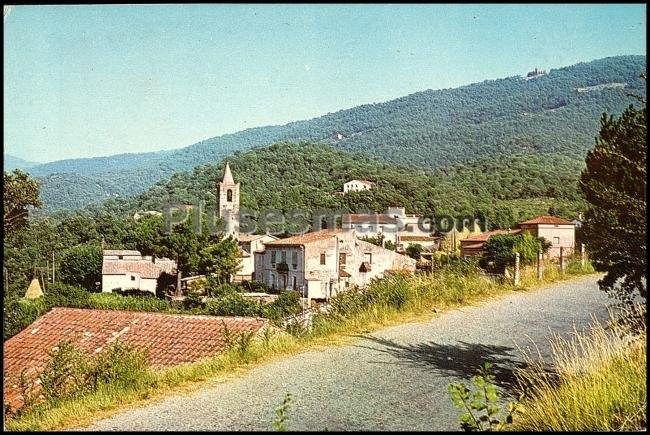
x,y
393,379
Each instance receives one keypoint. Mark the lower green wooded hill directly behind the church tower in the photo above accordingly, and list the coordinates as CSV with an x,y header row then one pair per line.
x,y
306,176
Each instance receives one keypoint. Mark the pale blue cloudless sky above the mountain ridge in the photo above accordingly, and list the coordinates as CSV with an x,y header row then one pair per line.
x,y
82,81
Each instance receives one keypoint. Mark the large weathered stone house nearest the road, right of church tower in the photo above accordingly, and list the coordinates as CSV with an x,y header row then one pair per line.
x,y
321,263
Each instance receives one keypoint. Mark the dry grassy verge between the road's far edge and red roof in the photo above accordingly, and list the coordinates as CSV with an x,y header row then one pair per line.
x,y
395,299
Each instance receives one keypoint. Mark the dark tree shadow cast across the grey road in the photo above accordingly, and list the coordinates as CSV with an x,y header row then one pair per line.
x,y
461,359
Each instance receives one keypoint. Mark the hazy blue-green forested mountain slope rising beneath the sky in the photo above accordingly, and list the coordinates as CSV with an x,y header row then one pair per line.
x,y
556,113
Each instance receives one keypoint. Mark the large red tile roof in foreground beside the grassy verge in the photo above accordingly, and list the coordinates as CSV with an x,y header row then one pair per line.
x,y
169,338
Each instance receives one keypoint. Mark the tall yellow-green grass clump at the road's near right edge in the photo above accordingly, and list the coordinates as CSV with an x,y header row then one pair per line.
x,y
598,383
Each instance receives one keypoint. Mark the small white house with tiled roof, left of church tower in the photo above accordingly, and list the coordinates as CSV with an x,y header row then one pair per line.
x,y
122,270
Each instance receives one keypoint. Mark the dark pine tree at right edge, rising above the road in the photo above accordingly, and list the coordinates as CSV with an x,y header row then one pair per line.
x,y
614,184
